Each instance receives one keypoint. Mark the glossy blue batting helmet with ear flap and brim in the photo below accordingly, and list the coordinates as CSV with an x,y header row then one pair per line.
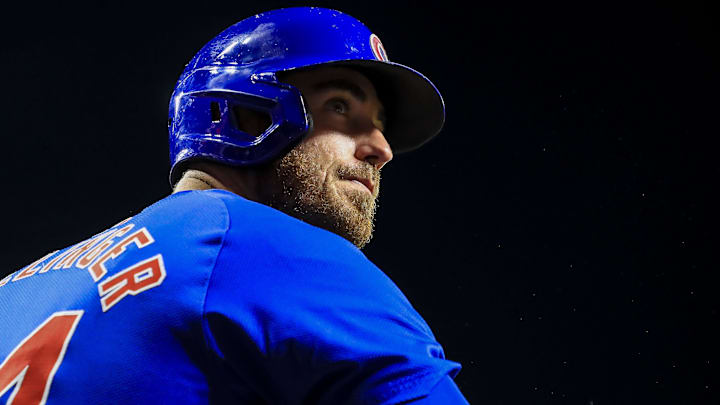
x,y
239,67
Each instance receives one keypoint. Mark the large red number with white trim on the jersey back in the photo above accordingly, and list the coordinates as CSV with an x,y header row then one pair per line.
x,y
32,364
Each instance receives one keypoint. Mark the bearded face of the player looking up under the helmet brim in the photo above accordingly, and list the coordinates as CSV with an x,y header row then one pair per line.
x,y
332,178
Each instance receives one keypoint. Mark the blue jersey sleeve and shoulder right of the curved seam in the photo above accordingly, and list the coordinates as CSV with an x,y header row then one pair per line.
x,y
307,311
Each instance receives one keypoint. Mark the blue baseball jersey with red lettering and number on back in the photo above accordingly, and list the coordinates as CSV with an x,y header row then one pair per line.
x,y
206,297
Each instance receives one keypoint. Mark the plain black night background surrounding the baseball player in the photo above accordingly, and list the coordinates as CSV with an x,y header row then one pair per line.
x,y
559,236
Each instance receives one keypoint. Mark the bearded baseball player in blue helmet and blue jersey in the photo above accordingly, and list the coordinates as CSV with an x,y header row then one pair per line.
x,y
246,285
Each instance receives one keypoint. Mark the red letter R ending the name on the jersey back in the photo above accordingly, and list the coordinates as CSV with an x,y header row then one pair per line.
x,y
133,280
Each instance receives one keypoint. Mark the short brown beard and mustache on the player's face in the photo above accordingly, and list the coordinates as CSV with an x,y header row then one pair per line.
x,y
316,195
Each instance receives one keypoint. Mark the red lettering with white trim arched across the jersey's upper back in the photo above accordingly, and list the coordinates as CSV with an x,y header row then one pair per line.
x,y
95,254
